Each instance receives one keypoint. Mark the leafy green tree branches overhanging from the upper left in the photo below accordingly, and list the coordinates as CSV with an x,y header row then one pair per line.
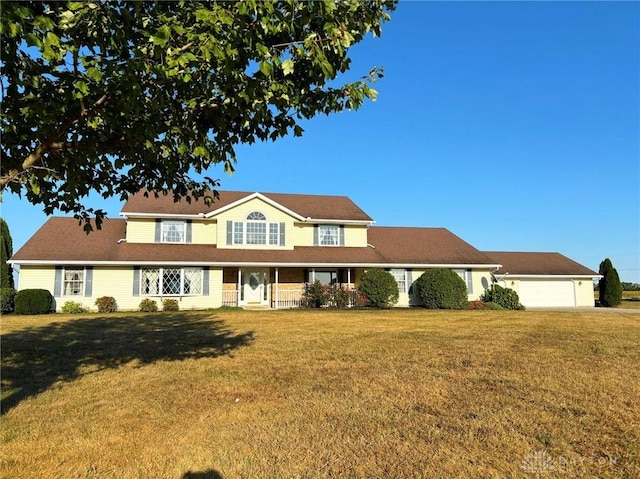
x,y
115,97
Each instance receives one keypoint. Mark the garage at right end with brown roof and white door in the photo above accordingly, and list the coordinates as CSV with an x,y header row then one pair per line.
x,y
545,279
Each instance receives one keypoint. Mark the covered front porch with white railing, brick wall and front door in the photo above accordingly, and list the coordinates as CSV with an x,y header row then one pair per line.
x,y
278,288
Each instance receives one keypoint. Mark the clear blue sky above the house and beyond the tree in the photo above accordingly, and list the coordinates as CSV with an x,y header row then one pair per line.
x,y
516,125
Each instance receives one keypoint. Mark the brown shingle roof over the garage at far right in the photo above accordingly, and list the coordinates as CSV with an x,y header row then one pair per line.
x,y
542,264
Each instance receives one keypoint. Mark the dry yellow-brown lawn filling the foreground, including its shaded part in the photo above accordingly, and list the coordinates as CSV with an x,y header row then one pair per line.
x,y
401,393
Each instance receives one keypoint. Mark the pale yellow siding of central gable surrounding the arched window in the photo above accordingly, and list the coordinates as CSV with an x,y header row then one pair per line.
x,y
239,214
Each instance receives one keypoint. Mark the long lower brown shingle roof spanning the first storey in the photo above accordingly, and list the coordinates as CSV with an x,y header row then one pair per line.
x,y
63,241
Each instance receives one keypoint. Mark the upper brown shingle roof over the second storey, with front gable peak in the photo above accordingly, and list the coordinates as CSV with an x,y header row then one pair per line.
x,y
316,207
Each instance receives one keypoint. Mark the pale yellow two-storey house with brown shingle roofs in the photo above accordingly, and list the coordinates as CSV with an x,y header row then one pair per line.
x,y
246,249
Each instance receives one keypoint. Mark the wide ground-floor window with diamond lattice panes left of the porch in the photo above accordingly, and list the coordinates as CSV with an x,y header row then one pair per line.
x,y
171,281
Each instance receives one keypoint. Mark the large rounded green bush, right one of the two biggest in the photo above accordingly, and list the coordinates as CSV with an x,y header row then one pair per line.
x,y
441,288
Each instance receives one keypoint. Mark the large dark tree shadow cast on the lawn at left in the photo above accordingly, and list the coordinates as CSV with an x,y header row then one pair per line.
x,y
34,359
